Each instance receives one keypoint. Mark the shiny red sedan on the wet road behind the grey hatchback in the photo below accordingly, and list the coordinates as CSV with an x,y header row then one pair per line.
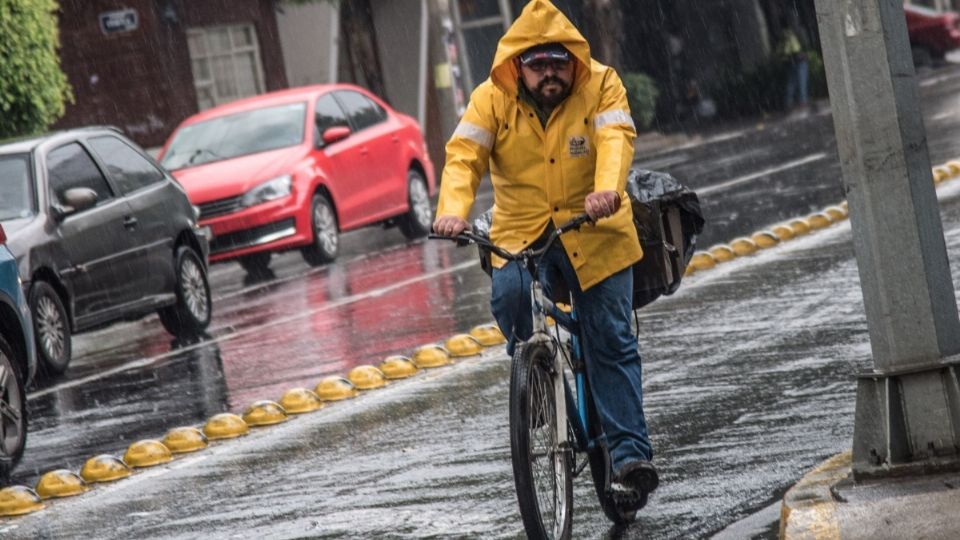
x,y
294,168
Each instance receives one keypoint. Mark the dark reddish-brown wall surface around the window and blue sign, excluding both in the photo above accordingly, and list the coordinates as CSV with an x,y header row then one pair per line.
x,y
141,80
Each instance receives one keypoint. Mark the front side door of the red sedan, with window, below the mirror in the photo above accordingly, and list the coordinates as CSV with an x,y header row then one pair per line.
x,y
341,162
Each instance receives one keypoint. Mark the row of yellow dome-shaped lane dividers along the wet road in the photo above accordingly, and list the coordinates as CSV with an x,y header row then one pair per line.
x,y
18,500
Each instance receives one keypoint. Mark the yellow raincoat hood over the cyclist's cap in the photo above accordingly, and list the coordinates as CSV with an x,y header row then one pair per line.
x,y
540,22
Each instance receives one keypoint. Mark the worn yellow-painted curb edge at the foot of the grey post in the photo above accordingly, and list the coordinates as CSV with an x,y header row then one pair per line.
x,y
809,510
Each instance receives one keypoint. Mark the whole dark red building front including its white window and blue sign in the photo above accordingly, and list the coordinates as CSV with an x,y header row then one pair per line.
x,y
145,65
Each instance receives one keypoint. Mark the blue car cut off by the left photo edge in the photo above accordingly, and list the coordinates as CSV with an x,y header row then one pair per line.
x,y
17,362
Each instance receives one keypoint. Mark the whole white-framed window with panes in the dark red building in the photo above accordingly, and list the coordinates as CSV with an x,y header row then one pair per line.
x,y
226,63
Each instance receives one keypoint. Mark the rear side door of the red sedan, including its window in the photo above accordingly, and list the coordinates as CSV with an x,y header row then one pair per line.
x,y
384,177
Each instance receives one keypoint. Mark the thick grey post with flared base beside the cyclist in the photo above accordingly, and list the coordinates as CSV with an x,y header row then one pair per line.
x,y
908,408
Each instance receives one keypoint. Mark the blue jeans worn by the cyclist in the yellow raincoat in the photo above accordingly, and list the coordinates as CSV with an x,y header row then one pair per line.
x,y
610,347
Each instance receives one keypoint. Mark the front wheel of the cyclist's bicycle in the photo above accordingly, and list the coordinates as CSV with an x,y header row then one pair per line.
x,y
542,470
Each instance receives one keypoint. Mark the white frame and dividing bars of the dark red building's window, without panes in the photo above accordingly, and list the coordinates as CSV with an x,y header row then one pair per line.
x,y
235,50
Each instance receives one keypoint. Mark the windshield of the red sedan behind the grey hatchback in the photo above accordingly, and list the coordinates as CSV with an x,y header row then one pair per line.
x,y
236,135
